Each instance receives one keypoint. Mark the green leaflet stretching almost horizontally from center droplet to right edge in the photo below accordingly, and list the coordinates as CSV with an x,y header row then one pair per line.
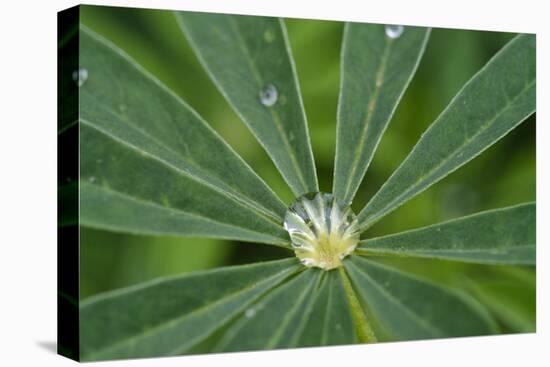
x,y
501,236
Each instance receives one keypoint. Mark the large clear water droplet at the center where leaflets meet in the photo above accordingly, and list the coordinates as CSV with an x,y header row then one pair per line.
x,y
323,231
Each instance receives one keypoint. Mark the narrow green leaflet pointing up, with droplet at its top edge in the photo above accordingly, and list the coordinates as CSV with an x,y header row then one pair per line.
x,y
376,70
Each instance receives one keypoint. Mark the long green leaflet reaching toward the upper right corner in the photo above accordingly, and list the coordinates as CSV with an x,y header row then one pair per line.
x,y
497,99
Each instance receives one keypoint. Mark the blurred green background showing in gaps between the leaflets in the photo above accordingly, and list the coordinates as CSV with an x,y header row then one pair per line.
x,y
504,175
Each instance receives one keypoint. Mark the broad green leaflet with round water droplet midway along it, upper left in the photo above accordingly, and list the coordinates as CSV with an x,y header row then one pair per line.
x,y
246,56
